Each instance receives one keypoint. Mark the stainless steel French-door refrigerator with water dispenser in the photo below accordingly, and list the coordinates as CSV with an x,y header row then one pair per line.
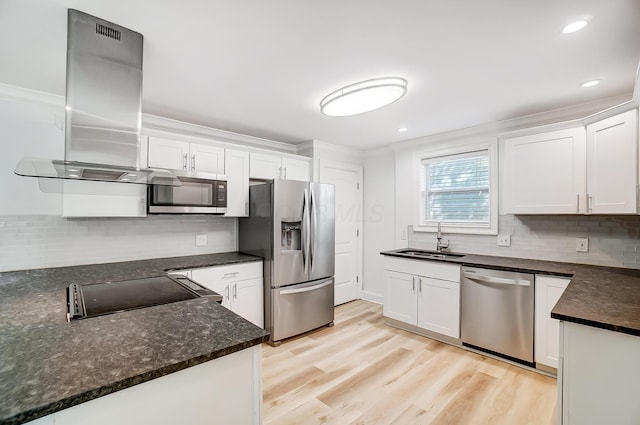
x,y
291,224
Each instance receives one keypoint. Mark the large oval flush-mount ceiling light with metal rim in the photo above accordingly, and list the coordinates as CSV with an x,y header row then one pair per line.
x,y
363,97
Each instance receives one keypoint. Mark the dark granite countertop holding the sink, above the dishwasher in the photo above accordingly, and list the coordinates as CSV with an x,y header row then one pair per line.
x,y
602,297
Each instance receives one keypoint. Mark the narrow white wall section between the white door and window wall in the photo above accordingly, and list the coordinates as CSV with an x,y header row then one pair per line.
x,y
378,217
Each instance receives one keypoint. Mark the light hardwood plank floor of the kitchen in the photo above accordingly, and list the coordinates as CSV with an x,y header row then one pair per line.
x,y
362,371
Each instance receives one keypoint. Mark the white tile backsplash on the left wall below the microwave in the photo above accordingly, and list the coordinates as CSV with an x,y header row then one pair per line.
x,y
38,241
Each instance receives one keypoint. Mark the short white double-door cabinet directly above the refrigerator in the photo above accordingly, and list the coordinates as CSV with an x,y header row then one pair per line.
x,y
272,166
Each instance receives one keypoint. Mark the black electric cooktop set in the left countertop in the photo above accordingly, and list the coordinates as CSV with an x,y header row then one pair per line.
x,y
97,299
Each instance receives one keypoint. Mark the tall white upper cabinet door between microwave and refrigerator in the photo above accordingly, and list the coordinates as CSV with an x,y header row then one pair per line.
x,y
237,170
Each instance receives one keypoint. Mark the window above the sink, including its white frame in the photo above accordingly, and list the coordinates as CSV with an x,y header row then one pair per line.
x,y
457,190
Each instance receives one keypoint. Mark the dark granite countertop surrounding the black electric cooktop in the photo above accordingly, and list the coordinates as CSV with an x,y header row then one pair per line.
x,y
47,364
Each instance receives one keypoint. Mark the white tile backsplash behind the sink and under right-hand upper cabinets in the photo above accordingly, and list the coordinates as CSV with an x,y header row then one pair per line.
x,y
613,240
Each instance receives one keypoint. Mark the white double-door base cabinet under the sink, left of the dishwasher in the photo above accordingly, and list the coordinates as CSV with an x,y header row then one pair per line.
x,y
424,294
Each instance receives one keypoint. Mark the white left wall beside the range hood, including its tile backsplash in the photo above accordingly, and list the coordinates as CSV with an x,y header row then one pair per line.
x,y
34,235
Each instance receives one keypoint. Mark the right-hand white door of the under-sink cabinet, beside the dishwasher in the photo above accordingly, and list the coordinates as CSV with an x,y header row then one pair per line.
x,y
439,306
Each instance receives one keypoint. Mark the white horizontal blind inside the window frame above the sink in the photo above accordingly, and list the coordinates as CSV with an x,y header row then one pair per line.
x,y
455,189
